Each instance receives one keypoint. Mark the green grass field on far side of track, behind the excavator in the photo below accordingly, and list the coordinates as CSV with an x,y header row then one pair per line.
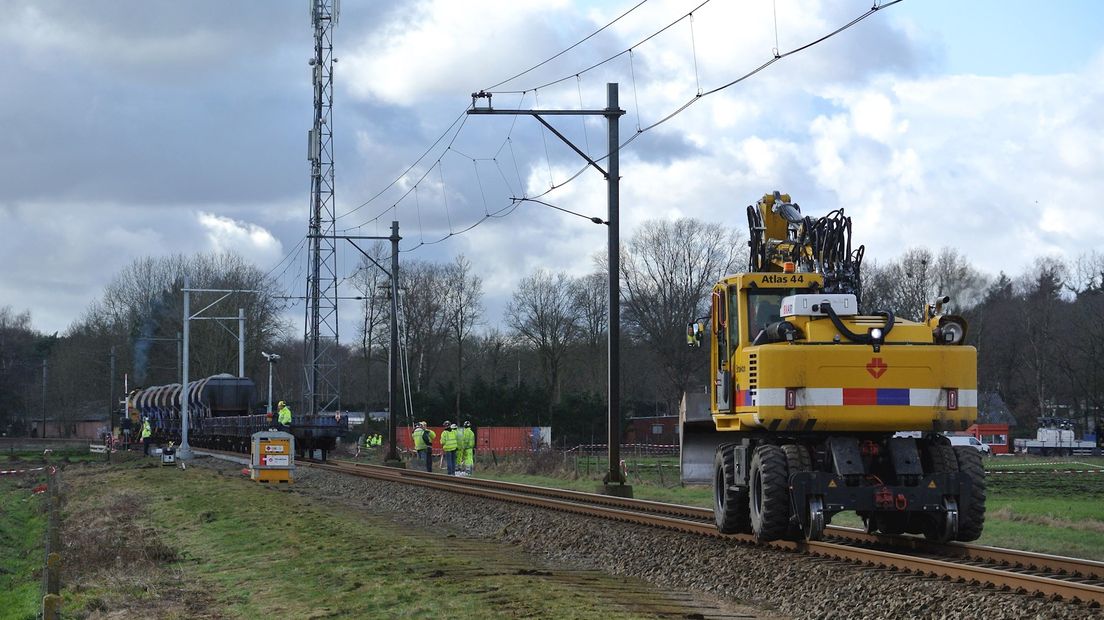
x,y
1046,510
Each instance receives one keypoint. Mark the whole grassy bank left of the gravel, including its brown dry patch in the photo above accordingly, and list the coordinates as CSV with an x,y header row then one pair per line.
x,y
163,543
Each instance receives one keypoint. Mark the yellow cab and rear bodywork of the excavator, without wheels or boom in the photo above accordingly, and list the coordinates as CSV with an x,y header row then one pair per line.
x,y
835,386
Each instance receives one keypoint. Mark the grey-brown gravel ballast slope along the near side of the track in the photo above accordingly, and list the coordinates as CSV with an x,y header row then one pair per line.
x,y
784,583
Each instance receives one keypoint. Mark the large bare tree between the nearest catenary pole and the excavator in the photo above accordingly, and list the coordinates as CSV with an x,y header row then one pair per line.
x,y
668,271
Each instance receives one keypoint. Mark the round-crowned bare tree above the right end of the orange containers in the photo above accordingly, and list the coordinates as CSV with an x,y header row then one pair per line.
x,y
544,316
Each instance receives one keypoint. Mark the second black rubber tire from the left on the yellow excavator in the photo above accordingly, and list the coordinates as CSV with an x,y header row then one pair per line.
x,y
770,494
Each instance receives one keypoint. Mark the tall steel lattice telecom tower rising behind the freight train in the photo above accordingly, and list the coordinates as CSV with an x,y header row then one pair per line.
x,y
322,391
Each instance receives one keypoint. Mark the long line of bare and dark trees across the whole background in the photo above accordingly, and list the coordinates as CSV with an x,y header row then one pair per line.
x,y
544,362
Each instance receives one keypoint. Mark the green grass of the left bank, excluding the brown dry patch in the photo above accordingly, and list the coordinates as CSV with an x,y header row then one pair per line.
x,y
257,551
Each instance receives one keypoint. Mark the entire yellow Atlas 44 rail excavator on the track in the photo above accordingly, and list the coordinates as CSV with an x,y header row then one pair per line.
x,y
815,409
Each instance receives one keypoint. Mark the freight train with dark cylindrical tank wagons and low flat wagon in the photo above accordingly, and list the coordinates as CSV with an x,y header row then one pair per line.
x,y
222,415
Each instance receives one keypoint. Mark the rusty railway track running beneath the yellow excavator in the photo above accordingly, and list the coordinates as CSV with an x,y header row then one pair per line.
x,y
1007,570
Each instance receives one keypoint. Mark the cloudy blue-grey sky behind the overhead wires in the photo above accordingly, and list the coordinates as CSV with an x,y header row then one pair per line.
x,y
153,127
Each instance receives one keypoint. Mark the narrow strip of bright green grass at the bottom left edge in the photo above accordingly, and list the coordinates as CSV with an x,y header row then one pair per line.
x,y
23,528
